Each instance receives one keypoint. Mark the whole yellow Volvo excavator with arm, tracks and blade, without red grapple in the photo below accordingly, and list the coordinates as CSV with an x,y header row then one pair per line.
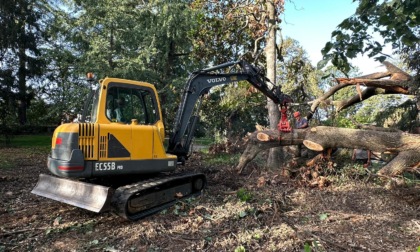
x,y
115,157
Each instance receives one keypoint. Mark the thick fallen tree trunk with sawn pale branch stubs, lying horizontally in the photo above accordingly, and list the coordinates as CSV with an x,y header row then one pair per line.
x,y
405,146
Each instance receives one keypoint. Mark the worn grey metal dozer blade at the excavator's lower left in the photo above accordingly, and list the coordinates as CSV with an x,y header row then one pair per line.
x,y
92,197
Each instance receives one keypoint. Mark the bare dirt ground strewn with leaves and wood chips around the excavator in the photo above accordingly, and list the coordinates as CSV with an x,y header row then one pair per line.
x,y
255,211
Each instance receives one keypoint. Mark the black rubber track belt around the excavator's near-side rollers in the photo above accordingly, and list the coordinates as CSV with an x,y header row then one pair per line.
x,y
123,193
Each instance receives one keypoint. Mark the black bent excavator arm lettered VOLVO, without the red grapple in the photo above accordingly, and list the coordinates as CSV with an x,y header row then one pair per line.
x,y
199,84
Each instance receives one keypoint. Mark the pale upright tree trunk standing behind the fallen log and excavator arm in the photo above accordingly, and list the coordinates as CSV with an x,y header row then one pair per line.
x,y
276,155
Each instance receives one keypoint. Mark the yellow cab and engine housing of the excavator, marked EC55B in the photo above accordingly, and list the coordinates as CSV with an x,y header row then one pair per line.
x,y
122,134
